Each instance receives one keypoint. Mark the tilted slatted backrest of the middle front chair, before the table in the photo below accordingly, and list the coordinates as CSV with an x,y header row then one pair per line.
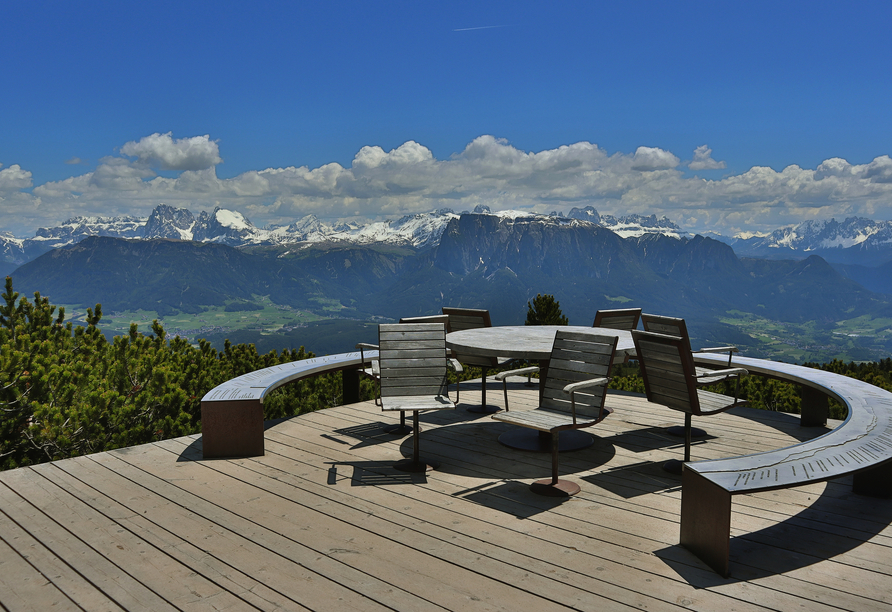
x,y
577,356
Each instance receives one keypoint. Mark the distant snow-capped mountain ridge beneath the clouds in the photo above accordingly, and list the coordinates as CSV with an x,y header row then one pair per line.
x,y
854,241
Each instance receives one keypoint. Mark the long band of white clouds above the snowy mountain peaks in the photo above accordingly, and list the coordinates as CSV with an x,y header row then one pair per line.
x,y
489,170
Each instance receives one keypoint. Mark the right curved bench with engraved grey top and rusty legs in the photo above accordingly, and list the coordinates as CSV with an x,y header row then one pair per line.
x,y
861,445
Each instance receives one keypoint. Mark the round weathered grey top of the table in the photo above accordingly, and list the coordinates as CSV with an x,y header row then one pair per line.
x,y
523,341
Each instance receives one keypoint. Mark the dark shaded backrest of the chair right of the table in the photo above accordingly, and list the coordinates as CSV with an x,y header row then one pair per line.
x,y
667,368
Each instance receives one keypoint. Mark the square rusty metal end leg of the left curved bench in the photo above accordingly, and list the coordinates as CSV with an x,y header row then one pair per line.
x,y
232,429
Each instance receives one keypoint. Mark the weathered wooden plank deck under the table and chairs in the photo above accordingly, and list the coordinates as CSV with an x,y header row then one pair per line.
x,y
322,522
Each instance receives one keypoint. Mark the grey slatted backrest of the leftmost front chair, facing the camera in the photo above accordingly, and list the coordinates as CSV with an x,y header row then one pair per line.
x,y
412,357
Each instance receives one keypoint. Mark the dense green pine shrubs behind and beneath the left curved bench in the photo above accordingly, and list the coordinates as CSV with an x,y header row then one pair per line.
x,y
66,391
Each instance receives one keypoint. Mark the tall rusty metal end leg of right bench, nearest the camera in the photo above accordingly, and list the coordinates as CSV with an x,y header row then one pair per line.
x,y
706,520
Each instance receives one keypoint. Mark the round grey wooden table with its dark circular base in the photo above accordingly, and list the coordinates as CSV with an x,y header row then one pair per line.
x,y
531,343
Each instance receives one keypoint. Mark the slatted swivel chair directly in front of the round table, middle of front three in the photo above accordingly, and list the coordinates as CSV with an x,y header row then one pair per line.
x,y
573,396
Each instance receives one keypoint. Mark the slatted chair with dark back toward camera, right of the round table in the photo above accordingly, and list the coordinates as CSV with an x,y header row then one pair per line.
x,y
671,380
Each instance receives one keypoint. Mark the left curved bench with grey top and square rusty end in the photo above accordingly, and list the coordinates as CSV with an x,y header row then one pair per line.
x,y
232,413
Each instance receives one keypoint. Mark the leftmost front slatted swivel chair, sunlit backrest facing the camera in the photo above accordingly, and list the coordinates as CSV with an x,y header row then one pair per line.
x,y
412,361
